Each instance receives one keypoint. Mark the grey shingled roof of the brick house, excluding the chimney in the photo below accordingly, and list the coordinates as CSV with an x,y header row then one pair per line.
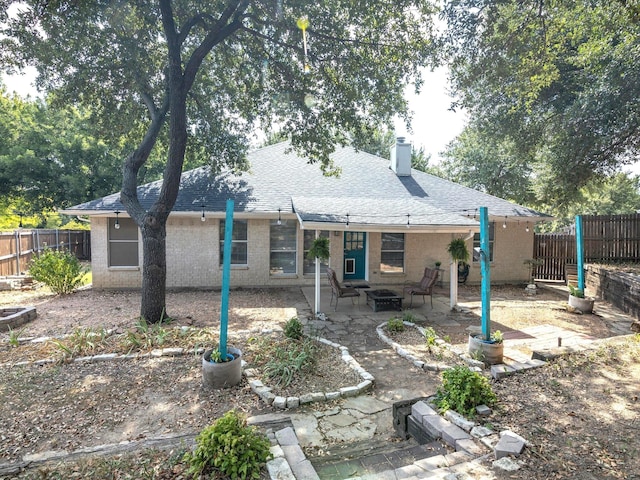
x,y
366,193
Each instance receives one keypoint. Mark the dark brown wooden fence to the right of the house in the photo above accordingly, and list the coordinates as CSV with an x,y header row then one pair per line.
x,y
607,239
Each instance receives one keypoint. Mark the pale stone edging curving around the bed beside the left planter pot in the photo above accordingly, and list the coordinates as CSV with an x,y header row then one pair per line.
x,y
281,403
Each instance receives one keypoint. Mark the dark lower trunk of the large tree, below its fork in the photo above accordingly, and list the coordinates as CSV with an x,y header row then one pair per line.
x,y
154,269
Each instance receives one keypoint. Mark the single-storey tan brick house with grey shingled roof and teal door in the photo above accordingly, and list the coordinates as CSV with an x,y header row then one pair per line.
x,y
385,221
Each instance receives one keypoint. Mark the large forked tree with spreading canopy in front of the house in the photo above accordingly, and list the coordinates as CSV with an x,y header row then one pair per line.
x,y
207,73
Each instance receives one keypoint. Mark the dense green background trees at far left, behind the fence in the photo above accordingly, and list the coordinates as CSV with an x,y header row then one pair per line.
x,y
49,158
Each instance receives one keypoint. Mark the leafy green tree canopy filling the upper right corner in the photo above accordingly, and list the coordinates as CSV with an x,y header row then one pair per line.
x,y
558,81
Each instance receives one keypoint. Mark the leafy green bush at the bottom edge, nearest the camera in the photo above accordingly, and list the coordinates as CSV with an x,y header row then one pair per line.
x,y
230,447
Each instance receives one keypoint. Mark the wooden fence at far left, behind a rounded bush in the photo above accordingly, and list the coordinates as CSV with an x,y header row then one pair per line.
x,y
17,248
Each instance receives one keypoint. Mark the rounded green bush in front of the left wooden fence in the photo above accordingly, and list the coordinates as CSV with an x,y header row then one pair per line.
x,y
60,270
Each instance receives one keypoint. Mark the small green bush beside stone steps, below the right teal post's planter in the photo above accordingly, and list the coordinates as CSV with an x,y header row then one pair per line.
x,y
463,390
